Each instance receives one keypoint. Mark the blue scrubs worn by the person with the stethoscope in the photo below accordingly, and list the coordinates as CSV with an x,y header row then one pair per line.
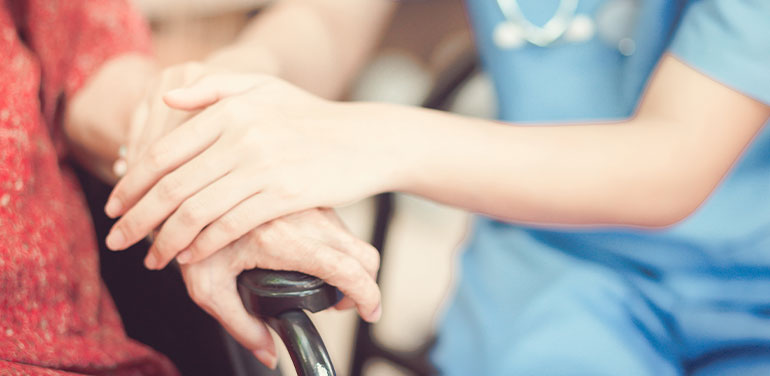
x,y
692,299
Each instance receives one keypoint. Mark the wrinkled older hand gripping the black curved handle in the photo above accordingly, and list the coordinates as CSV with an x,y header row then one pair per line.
x,y
314,242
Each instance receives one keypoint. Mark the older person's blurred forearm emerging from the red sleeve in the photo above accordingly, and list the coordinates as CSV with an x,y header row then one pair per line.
x,y
97,117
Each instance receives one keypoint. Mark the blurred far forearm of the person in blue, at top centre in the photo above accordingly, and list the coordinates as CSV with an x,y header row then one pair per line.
x,y
334,39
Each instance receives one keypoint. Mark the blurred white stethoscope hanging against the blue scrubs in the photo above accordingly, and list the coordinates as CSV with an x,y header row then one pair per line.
x,y
613,21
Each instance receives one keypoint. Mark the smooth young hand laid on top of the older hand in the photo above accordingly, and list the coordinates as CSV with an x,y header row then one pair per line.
x,y
266,150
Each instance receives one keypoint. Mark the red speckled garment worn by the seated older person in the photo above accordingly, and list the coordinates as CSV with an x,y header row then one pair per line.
x,y
56,317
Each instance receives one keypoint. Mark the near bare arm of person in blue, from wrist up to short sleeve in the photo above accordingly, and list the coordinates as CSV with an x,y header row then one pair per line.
x,y
651,170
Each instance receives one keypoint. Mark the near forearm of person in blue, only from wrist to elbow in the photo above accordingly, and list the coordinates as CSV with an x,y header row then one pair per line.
x,y
635,173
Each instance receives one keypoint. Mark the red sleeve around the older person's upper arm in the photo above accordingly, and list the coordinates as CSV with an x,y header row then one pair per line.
x,y
73,38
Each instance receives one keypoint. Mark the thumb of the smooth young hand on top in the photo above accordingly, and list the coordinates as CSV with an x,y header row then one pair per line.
x,y
209,90
